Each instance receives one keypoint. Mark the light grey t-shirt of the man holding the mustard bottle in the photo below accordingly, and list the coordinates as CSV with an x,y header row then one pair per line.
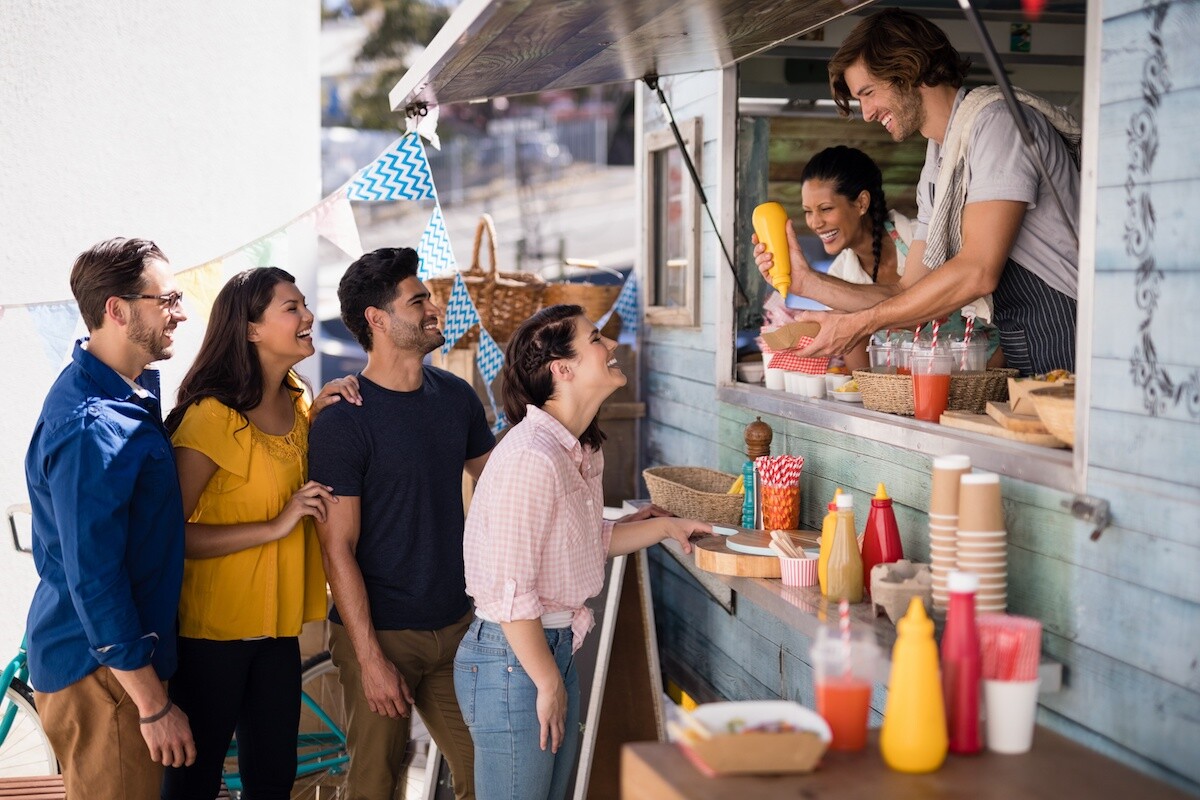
x,y
1001,170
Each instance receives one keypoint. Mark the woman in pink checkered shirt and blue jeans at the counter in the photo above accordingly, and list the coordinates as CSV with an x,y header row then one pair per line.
x,y
535,548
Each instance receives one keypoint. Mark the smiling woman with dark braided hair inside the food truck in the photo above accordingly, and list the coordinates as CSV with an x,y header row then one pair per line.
x,y
842,191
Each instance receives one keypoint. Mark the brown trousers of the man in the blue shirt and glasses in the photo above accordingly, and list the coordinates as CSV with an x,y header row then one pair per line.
x,y
93,726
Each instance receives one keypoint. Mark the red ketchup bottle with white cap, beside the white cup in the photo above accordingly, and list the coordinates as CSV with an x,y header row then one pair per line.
x,y
962,666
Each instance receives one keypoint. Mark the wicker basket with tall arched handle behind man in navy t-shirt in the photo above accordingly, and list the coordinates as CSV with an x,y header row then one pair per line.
x,y
503,300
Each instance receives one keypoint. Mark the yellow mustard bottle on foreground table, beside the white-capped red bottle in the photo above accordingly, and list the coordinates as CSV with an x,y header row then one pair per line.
x,y
914,738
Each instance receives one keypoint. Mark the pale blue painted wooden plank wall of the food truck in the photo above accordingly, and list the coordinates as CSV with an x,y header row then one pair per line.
x,y
1120,613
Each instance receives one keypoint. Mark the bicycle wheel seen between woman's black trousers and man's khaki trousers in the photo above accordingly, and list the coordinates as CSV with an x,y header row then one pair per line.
x,y
321,748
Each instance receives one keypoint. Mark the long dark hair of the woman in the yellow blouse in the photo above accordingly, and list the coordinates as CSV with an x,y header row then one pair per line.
x,y
227,368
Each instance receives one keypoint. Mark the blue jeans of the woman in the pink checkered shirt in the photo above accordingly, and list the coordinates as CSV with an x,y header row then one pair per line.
x,y
500,705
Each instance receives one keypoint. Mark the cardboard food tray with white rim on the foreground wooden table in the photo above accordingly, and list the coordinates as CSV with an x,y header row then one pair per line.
x,y
754,753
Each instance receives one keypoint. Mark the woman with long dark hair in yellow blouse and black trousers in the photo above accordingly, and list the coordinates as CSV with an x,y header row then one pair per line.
x,y
253,574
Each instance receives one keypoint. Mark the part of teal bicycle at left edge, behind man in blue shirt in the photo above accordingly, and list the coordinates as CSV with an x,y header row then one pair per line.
x,y
25,748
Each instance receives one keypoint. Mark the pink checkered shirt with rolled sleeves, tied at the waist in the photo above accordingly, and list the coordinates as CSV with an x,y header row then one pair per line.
x,y
536,542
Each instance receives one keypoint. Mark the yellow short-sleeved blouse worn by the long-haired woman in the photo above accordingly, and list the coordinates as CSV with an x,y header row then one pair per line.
x,y
266,591
